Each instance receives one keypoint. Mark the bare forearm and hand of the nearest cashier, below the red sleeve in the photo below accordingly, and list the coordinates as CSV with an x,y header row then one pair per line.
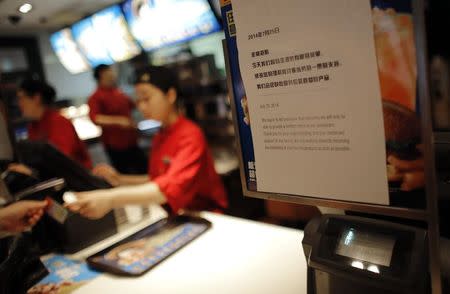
x,y
97,203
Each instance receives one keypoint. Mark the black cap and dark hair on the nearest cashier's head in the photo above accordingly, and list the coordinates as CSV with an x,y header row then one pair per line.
x,y
159,76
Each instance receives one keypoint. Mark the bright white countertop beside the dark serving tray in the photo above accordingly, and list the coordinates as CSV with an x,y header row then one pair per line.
x,y
234,256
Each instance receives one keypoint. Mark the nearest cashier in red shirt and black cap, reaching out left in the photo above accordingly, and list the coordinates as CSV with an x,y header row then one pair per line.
x,y
181,172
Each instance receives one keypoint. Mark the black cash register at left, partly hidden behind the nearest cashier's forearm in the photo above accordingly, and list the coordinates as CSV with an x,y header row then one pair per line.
x,y
76,232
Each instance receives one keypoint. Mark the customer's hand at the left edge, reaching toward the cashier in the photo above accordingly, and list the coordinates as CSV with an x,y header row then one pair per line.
x,y
21,215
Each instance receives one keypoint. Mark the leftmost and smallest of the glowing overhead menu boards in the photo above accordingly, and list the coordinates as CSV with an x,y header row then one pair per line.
x,y
67,51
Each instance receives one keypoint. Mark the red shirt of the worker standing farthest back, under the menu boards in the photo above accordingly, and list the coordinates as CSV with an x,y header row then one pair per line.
x,y
113,102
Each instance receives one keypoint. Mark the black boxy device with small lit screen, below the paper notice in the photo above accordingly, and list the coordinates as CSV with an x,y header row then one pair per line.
x,y
348,254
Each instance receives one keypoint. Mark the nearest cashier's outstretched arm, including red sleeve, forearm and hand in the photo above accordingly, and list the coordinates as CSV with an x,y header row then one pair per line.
x,y
176,187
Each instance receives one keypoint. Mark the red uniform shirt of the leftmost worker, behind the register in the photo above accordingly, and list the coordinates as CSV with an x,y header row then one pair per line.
x,y
59,131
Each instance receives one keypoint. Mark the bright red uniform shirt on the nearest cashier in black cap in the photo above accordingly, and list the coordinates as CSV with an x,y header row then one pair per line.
x,y
182,166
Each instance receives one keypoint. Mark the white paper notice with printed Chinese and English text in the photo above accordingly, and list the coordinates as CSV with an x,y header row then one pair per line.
x,y
310,73
